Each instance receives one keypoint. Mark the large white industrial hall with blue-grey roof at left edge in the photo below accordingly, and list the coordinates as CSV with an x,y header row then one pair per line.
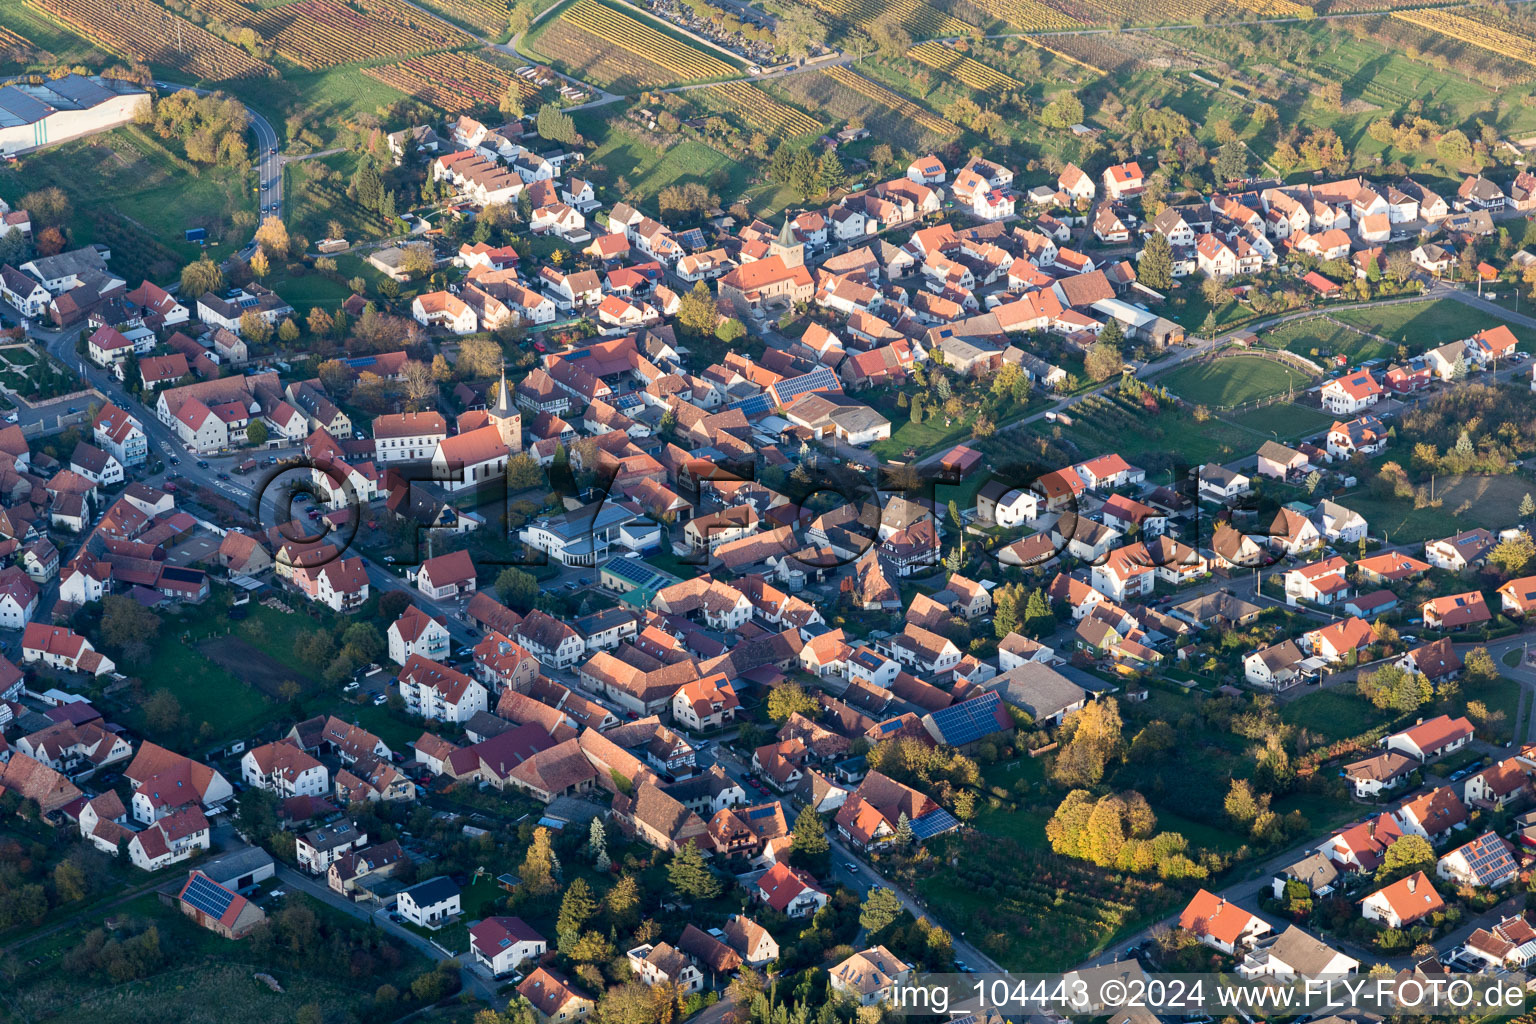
x,y
36,116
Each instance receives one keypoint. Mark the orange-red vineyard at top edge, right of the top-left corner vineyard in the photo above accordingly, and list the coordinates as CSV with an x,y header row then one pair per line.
x,y
326,33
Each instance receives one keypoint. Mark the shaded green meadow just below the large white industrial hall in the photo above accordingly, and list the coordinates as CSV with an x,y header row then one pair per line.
x,y
133,194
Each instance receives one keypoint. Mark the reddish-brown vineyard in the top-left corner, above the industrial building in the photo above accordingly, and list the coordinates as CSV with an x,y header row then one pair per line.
x,y
144,31
